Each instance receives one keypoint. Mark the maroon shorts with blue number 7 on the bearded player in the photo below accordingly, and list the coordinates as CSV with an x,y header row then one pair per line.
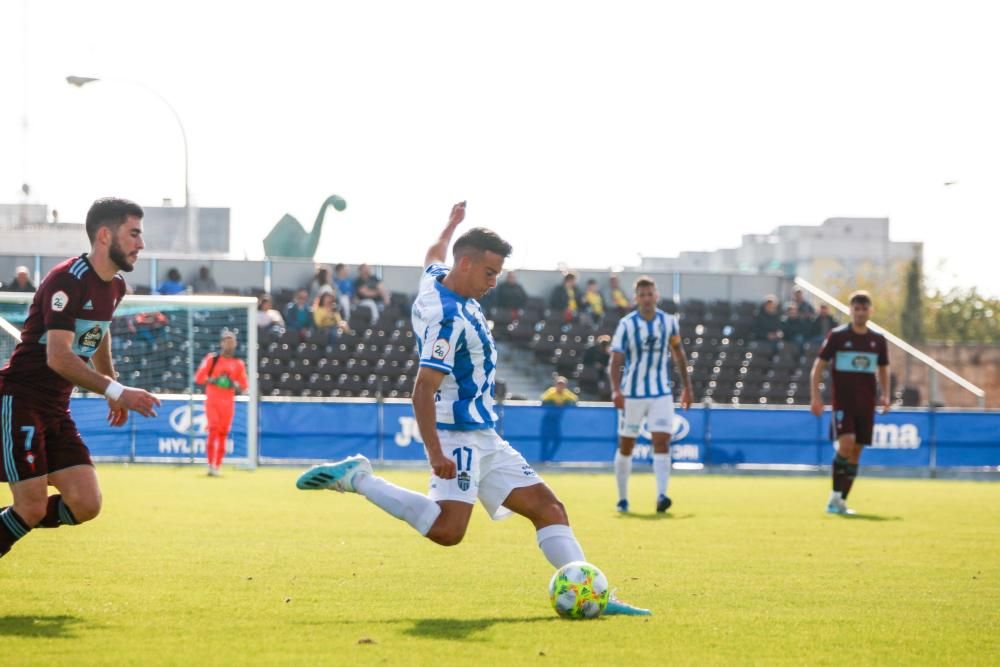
x,y
37,440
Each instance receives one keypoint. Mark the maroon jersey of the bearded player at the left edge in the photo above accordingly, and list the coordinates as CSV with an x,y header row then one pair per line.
x,y
72,297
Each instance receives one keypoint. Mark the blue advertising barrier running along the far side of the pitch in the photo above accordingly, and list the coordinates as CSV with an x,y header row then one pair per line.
x,y
330,430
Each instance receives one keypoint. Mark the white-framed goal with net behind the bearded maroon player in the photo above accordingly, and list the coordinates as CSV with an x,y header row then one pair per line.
x,y
157,344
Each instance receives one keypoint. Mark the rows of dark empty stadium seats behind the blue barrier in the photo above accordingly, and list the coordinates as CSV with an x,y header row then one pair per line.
x,y
378,358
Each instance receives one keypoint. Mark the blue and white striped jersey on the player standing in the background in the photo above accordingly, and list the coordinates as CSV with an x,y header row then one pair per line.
x,y
646,345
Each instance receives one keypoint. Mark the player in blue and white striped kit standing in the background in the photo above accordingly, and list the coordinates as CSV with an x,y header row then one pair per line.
x,y
641,349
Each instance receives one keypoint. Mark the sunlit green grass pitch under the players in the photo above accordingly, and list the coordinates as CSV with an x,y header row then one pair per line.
x,y
189,570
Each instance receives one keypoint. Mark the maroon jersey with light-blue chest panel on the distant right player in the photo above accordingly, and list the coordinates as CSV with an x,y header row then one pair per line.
x,y
855,358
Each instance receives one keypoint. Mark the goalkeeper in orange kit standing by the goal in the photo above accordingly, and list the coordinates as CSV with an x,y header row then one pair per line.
x,y
223,375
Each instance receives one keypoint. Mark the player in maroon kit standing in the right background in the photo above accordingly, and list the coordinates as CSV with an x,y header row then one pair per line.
x,y
858,355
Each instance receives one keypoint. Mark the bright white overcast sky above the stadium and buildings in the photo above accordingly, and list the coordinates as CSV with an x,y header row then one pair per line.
x,y
586,133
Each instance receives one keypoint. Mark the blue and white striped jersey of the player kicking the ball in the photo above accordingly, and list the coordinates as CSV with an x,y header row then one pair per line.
x,y
453,337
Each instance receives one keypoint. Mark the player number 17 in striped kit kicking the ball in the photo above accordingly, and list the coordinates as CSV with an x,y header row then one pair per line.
x,y
453,405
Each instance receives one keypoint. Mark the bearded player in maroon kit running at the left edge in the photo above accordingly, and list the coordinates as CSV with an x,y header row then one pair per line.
x,y
67,326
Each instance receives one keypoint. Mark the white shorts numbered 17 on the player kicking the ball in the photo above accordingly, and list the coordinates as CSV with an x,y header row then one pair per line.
x,y
487,467
